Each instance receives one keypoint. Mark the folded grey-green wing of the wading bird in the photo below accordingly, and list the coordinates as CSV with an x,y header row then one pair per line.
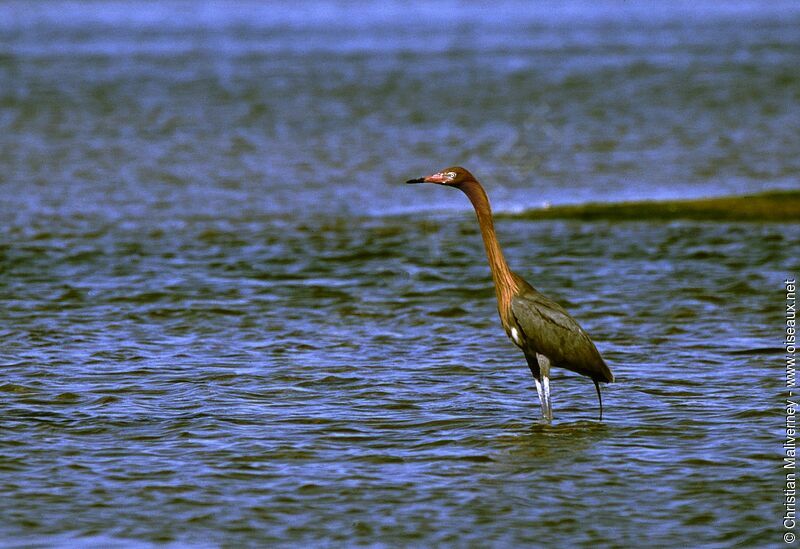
x,y
550,330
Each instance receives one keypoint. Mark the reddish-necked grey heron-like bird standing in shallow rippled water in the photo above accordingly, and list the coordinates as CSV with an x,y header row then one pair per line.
x,y
546,333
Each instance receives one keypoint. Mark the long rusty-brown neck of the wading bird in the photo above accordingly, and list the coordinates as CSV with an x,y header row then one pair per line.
x,y
504,284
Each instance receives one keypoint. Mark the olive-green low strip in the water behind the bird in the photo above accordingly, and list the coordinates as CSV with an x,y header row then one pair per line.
x,y
783,206
